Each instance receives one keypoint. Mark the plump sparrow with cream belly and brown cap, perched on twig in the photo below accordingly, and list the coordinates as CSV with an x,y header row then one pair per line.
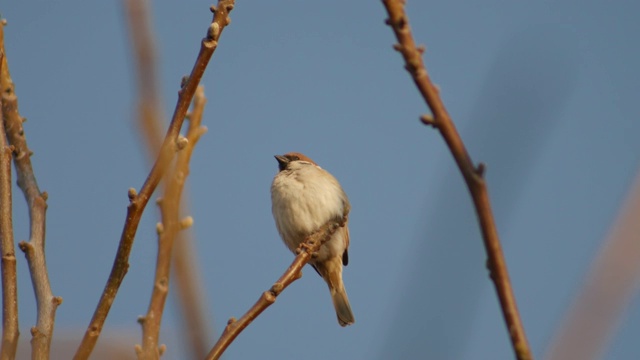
x,y
304,197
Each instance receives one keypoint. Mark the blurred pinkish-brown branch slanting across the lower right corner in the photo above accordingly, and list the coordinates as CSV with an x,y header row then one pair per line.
x,y
612,281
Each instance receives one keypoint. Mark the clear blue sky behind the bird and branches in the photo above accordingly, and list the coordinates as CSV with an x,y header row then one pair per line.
x,y
545,93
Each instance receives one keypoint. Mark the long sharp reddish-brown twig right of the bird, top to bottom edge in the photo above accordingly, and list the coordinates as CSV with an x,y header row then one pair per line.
x,y
473,176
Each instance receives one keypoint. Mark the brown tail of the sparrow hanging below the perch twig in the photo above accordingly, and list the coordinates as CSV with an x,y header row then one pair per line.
x,y
331,271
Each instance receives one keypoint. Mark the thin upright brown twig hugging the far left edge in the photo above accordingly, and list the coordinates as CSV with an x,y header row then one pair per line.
x,y
10,324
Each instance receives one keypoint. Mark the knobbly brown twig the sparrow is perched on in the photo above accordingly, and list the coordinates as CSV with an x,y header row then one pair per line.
x,y
306,251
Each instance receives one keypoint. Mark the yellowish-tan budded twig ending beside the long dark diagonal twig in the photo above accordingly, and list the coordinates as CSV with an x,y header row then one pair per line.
x,y
167,232
